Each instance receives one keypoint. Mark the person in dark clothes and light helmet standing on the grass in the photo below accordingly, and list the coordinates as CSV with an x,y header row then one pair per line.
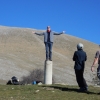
x,y
80,57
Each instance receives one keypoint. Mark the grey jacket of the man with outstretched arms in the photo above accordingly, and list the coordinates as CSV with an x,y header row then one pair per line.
x,y
46,36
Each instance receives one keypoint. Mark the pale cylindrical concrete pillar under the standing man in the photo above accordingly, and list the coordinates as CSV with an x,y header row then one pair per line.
x,y
48,72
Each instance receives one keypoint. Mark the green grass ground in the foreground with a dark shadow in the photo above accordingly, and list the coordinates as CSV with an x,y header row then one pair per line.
x,y
47,92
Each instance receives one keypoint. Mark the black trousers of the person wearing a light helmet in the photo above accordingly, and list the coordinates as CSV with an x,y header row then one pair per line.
x,y
80,78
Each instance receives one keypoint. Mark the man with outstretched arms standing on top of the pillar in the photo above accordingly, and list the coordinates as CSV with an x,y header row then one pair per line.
x,y
48,41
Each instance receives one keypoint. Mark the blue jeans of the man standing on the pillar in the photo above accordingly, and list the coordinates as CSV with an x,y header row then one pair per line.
x,y
48,47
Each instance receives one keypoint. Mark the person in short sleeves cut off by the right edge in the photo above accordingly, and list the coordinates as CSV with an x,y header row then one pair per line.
x,y
96,60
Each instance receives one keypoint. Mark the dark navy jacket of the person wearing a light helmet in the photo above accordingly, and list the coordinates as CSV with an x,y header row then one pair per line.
x,y
79,57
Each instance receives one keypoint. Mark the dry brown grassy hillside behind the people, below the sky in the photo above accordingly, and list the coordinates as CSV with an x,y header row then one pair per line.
x,y
22,51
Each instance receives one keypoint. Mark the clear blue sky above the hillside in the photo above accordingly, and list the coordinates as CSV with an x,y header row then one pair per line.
x,y
80,18
